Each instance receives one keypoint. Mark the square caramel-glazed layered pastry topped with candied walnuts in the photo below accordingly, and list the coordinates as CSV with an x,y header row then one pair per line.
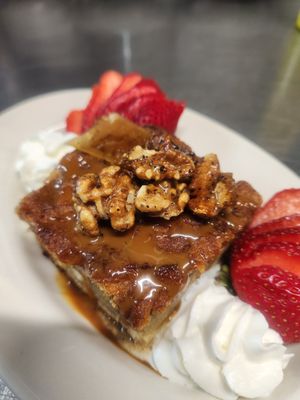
x,y
133,217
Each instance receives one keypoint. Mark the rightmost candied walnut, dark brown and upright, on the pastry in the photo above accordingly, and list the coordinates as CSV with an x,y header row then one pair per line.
x,y
211,191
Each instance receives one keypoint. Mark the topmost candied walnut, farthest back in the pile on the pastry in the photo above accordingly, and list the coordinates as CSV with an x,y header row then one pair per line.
x,y
158,165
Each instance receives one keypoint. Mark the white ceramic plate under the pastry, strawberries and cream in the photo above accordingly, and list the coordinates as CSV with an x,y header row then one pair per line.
x,y
47,350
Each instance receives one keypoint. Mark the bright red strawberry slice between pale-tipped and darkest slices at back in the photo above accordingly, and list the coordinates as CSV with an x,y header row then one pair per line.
x,y
121,102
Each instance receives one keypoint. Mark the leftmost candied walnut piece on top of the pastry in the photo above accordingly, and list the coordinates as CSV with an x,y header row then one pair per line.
x,y
109,195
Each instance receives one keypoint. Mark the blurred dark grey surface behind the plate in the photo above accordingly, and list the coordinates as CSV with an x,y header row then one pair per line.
x,y
235,61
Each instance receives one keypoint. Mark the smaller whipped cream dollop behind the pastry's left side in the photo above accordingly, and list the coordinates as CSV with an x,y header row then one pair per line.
x,y
39,155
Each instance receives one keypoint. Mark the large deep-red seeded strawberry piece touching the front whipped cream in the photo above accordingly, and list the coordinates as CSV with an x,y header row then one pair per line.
x,y
268,278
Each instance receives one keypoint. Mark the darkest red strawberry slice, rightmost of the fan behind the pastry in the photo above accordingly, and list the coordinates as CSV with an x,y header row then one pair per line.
x,y
160,112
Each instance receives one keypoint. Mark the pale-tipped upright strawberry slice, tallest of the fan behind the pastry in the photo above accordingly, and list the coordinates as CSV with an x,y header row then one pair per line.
x,y
108,84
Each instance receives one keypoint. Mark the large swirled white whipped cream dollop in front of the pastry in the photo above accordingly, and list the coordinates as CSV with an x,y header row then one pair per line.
x,y
220,344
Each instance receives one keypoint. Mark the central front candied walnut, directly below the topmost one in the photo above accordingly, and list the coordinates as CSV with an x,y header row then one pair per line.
x,y
162,199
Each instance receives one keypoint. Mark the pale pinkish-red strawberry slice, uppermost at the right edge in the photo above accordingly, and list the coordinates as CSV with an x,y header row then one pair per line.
x,y
284,203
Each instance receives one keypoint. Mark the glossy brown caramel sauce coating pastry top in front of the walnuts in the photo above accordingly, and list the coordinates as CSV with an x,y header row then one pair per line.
x,y
142,269
